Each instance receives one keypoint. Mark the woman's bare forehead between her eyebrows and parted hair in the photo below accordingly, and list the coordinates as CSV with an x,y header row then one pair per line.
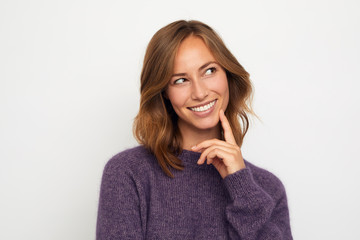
x,y
192,53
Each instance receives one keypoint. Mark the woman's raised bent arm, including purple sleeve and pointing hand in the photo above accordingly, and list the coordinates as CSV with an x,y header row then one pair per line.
x,y
252,212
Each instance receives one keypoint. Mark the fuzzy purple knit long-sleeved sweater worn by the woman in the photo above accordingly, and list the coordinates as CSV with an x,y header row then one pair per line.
x,y
138,201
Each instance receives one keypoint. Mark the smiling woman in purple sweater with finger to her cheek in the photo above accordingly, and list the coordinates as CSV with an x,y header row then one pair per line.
x,y
188,179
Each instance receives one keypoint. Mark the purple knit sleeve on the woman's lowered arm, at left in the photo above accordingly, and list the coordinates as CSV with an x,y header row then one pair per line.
x,y
119,205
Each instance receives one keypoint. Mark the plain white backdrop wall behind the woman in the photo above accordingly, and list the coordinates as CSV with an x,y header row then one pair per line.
x,y
69,91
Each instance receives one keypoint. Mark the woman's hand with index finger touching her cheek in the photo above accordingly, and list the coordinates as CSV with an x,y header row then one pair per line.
x,y
224,155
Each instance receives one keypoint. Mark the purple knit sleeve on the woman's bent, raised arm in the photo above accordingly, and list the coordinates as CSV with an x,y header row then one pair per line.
x,y
254,213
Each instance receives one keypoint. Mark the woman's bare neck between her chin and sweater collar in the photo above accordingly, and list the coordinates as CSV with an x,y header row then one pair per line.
x,y
192,136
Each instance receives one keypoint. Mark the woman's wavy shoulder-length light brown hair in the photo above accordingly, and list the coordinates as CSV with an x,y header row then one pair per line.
x,y
155,126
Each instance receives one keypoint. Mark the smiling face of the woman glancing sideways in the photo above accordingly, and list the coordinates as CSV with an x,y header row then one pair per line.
x,y
198,88
